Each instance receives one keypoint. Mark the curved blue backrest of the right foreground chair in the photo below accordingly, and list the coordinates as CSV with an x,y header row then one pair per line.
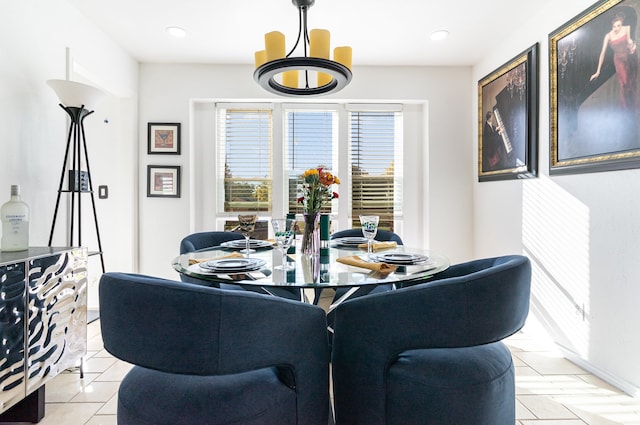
x,y
471,304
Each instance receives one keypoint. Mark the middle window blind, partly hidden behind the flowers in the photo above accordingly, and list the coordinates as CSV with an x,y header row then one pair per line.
x,y
309,136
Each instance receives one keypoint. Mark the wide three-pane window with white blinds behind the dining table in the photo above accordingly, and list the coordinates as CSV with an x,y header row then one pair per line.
x,y
262,149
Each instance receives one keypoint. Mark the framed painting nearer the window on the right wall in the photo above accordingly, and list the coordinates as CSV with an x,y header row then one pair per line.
x,y
508,120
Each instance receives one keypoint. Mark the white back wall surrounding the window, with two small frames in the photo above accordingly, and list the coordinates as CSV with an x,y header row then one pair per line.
x,y
438,197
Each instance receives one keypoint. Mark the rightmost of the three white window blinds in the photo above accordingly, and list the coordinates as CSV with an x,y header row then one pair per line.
x,y
376,165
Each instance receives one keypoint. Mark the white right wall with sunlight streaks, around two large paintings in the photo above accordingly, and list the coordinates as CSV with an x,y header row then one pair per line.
x,y
581,232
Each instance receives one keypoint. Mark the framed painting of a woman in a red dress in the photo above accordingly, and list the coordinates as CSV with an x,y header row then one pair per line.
x,y
594,116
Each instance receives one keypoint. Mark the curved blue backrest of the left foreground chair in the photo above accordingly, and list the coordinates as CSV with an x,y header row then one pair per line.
x,y
184,329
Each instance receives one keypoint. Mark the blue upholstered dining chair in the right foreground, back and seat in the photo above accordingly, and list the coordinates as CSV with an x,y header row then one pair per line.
x,y
432,353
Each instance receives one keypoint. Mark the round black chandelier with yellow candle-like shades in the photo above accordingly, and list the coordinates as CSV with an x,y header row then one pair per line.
x,y
314,73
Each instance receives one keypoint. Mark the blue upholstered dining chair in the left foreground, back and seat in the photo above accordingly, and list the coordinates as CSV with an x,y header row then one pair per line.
x,y
208,356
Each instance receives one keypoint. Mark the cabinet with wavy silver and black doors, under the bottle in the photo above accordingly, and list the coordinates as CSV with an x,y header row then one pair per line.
x,y
43,324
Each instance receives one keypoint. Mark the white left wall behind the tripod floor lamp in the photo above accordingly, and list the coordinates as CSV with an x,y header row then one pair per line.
x,y
49,39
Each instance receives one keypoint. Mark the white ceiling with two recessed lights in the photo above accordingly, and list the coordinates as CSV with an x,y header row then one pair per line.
x,y
381,32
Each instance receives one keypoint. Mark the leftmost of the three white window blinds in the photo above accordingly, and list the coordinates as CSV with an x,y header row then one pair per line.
x,y
245,154
